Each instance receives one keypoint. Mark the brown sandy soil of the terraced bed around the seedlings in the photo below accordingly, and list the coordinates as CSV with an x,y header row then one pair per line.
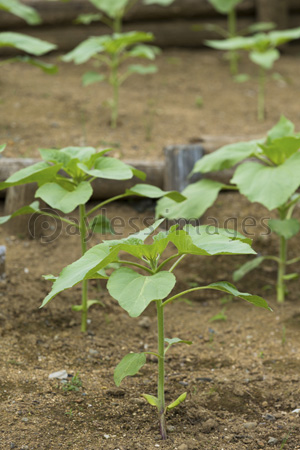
x,y
241,373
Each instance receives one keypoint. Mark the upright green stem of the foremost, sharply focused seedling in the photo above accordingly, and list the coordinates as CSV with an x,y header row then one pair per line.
x,y
161,370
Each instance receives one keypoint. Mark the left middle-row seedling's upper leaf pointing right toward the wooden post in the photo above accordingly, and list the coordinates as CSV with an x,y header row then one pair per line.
x,y
109,168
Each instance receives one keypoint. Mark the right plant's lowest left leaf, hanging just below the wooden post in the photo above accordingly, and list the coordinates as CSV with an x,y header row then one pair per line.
x,y
199,197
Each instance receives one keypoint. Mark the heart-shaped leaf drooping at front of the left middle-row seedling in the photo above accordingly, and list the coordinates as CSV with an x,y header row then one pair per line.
x,y
60,198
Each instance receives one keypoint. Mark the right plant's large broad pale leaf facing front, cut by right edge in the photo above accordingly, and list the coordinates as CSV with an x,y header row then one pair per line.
x,y
270,186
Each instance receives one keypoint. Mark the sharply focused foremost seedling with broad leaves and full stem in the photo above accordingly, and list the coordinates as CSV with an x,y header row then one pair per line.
x,y
135,290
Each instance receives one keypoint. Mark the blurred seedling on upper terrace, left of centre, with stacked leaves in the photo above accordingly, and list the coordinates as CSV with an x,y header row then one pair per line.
x,y
113,51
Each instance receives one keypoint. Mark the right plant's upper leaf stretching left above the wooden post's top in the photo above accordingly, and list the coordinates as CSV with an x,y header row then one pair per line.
x,y
226,157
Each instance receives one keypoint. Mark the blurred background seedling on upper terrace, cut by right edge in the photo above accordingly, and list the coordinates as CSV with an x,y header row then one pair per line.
x,y
263,51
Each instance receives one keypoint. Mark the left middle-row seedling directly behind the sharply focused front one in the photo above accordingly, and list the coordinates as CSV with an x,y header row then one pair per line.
x,y
71,189
